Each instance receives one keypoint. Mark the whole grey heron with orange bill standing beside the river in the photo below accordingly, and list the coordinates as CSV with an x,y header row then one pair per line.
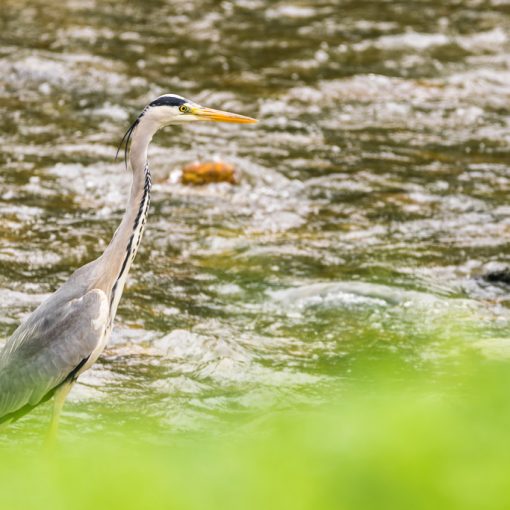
x,y
66,334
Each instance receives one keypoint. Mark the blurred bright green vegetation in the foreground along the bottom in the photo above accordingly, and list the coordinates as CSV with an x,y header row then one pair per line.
x,y
440,441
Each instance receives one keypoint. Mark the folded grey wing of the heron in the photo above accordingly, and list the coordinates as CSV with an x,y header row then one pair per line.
x,y
45,350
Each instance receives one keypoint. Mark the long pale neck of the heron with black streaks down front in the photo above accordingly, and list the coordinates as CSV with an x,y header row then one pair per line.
x,y
121,251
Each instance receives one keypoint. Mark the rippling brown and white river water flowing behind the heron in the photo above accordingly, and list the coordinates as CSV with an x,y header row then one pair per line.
x,y
372,200
